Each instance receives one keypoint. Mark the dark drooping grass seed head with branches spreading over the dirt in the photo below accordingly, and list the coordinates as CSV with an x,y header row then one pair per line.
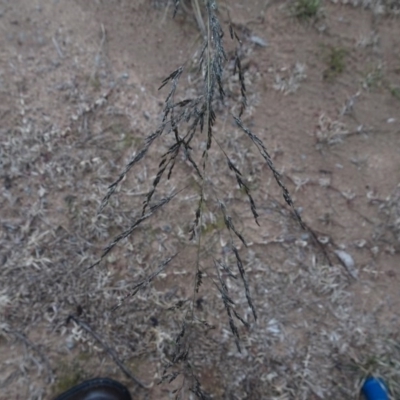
x,y
183,121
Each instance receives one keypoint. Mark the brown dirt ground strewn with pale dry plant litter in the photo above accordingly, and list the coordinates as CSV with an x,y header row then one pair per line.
x,y
78,95
